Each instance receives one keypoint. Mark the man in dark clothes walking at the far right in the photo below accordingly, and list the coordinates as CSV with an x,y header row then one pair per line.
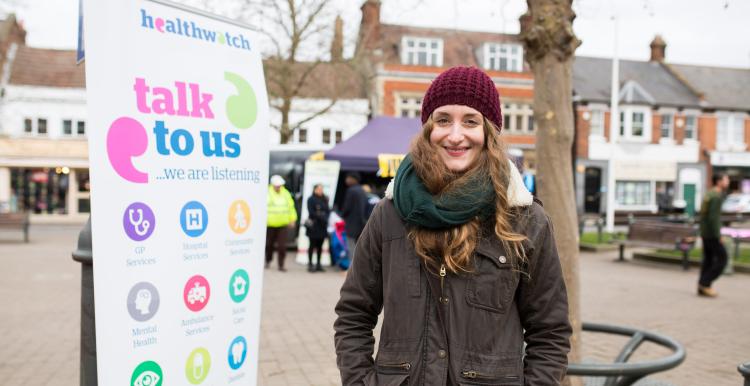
x,y
714,253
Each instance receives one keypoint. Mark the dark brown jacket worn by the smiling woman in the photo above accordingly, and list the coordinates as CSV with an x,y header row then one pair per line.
x,y
488,314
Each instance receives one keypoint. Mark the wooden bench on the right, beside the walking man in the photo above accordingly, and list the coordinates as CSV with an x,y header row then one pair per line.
x,y
661,235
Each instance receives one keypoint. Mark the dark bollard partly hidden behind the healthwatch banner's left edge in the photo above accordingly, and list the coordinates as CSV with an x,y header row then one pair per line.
x,y
84,256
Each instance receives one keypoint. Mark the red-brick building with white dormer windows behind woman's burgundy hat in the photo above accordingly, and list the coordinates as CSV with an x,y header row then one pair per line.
x,y
402,61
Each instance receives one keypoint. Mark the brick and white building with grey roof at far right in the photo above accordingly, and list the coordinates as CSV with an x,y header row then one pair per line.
x,y
678,125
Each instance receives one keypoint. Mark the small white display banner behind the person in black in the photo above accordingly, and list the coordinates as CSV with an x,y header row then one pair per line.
x,y
325,173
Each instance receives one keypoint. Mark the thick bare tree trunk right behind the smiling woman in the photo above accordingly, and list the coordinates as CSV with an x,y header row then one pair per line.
x,y
547,33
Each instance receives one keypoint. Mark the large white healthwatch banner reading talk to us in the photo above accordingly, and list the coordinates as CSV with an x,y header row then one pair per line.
x,y
178,149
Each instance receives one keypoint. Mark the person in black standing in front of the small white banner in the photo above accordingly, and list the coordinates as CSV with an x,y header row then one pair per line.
x,y
316,226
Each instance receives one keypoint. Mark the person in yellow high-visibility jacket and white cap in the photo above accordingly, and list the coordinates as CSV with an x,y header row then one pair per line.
x,y
282,217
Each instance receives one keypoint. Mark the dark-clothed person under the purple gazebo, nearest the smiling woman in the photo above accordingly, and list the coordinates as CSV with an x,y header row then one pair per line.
x,y
354,210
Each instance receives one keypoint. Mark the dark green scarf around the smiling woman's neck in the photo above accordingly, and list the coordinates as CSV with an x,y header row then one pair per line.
x,y
417,206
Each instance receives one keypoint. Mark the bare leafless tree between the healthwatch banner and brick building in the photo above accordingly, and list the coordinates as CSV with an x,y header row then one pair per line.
x,y
296,61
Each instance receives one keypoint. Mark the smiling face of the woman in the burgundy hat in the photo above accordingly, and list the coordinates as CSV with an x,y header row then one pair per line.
x,y
458,134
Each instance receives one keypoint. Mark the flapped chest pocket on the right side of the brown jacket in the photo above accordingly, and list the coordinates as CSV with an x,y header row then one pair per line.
x,y
492,285
